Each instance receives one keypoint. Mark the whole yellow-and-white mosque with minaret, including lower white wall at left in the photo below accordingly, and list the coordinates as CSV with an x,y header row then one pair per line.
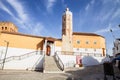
x,y
16,46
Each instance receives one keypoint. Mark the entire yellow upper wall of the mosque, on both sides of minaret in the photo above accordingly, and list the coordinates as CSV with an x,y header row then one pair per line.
x,y
33,42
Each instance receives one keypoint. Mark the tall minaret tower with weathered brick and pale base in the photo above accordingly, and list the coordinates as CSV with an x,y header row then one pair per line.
x,y
67,31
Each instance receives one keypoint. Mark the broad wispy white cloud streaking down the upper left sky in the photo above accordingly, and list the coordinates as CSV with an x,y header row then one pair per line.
x,y
22,18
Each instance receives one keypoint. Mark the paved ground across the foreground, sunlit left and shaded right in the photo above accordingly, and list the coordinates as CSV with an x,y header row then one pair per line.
x,y
86,73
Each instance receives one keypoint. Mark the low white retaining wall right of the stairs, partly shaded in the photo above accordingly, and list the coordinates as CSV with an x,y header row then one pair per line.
x,y
70,60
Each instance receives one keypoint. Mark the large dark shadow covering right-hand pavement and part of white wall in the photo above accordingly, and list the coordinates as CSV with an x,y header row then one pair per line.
x,y
92,70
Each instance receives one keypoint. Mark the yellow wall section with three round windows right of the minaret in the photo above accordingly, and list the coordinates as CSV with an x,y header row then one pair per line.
x,y
100,41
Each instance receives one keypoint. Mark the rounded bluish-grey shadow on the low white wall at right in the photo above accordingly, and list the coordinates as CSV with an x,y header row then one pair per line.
x,y
89,60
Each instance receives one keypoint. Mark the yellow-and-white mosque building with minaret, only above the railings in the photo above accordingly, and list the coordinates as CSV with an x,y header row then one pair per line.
x,y
71,43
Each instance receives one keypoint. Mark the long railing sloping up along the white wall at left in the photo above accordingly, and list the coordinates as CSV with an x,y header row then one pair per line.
x,y
21,56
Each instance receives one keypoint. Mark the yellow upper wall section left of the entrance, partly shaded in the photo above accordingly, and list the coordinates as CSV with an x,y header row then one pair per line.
x,y
20,41
